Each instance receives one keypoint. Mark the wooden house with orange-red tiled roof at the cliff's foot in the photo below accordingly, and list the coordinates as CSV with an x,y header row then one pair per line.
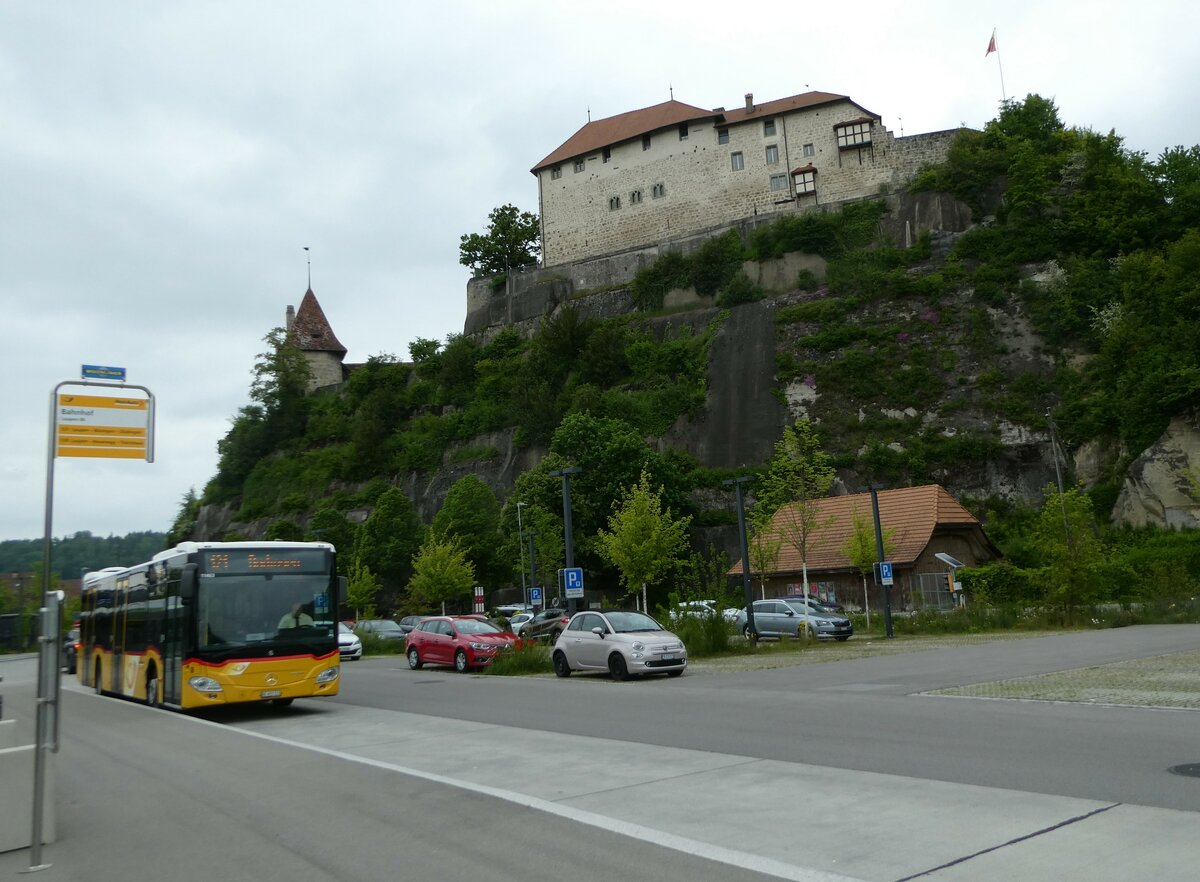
x,y
920,525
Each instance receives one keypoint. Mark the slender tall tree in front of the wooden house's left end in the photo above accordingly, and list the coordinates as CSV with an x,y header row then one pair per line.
x,y
799,476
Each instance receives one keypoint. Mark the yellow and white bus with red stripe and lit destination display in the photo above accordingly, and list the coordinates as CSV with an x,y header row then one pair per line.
x,y
214,623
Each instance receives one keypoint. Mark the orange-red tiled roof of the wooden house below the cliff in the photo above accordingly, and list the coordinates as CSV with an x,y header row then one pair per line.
x,y
914,513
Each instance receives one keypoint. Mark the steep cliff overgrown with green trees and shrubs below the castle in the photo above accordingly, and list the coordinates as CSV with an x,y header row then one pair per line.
x,y
944,357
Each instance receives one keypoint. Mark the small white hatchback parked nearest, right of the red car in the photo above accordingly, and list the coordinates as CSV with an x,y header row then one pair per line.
x,y
622,643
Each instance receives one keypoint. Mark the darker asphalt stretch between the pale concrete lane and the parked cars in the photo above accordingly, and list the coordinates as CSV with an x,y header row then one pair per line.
x,y
867,715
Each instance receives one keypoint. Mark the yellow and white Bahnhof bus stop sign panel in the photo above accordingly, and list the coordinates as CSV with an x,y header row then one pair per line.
x,y
101,427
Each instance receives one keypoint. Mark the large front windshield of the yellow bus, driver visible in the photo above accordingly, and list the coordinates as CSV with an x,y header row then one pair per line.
x,y
255,609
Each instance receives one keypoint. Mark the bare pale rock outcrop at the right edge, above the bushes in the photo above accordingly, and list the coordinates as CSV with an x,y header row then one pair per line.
x,y
1159,489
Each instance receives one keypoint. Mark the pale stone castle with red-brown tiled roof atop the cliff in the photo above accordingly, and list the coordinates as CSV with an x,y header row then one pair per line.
x,y
674,171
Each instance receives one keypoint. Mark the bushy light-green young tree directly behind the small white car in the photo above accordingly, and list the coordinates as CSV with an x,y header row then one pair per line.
x,y
644,542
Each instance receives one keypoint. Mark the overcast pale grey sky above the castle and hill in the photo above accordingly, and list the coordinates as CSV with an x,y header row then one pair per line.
x,y
165,165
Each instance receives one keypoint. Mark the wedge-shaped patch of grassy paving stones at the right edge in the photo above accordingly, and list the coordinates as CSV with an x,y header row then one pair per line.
x,y
1162,682
